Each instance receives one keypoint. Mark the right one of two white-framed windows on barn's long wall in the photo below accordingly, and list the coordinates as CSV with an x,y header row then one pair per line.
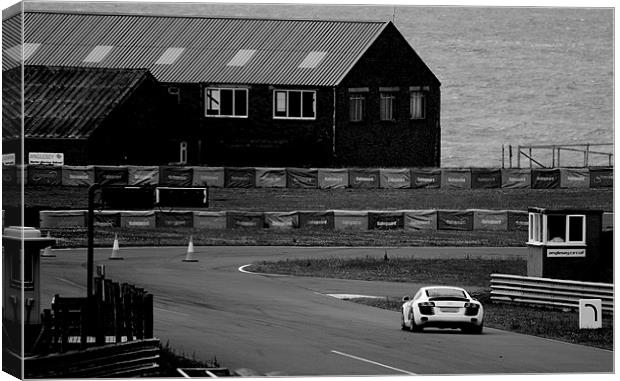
x,y
294,104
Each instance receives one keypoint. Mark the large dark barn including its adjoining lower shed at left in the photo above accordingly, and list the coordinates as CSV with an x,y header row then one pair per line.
x,y
114,89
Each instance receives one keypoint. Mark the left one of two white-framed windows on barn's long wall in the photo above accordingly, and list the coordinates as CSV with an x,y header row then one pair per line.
x,y
226,102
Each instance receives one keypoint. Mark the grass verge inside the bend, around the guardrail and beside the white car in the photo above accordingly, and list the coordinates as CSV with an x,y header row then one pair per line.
x,y
473,274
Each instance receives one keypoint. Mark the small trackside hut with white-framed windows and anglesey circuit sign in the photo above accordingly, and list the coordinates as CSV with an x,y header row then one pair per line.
x,y
568,244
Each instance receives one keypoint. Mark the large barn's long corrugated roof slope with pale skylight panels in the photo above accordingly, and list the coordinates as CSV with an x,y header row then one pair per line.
x,y
211,44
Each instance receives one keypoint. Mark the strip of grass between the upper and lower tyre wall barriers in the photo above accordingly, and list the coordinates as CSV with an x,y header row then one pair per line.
x,y
289,199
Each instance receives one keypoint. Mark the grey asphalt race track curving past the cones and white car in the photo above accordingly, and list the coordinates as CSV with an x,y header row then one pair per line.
x,y
281,325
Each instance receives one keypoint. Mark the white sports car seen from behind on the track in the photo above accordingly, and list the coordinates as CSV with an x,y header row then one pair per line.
x,y
442,307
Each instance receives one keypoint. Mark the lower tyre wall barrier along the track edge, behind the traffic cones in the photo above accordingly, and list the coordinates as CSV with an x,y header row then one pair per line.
x,y
347,220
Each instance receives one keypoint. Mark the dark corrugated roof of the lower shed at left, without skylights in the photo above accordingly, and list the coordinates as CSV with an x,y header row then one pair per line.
x,y
62,102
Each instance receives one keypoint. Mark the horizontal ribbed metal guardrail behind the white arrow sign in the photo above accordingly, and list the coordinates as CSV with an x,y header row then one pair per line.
x,y
549,292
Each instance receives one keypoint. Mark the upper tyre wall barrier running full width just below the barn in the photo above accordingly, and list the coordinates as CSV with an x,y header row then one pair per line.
x,y
311,178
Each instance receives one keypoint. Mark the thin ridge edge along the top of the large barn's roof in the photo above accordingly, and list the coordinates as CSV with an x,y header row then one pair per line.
x,y
158,15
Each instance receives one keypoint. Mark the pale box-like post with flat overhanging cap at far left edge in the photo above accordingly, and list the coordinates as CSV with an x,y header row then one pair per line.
x,y
21,292
